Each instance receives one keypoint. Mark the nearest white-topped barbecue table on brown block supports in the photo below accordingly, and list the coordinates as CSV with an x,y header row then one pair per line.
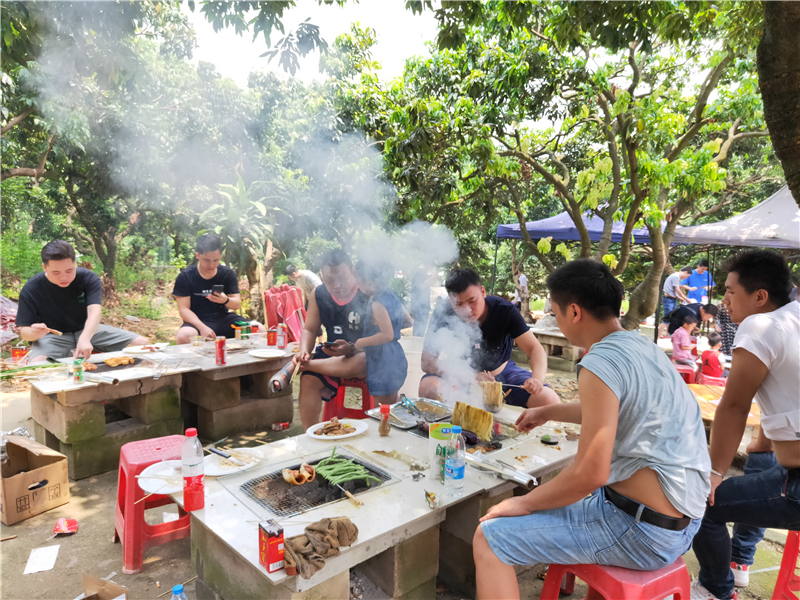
x,y
399,539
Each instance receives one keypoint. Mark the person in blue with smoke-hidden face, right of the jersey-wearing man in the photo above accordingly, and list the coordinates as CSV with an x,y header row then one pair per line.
x,y
387,366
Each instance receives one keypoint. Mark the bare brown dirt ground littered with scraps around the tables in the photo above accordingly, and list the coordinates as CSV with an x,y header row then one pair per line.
x,y
91,550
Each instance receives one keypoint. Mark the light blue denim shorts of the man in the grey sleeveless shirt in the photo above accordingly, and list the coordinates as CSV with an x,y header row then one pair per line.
x,y
592,531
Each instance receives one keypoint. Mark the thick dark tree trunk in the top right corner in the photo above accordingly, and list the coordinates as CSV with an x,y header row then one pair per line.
x,y
779,79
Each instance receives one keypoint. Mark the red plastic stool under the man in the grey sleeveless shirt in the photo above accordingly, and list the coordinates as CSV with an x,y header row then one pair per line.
x,y
616,583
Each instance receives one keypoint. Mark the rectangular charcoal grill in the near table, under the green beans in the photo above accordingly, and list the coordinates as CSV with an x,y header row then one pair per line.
x,y
265,492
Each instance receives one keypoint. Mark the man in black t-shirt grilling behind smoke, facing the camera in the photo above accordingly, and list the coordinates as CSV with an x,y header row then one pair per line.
x,y
470,338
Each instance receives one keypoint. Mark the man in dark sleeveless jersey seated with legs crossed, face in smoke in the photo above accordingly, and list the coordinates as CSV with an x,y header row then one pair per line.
x,y
340,307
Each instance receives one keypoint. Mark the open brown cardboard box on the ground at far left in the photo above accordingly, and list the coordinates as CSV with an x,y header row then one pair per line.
x,y
33,481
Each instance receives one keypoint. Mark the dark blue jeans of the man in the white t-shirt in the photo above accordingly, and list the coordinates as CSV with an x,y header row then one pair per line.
x,y
769,498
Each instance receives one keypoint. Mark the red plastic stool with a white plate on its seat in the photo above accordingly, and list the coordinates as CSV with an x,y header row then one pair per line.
x,y
130,527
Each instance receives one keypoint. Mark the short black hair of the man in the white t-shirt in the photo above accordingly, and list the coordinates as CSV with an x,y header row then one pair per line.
x,y
762,270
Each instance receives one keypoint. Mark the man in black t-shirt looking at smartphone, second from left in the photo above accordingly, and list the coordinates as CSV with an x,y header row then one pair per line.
x,y
206,294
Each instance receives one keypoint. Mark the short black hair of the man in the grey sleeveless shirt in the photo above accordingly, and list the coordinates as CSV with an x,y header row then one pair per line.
x,y
590,285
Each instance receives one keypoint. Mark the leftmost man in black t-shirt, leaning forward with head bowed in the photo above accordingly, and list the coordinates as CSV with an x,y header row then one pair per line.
x,y
67,299
